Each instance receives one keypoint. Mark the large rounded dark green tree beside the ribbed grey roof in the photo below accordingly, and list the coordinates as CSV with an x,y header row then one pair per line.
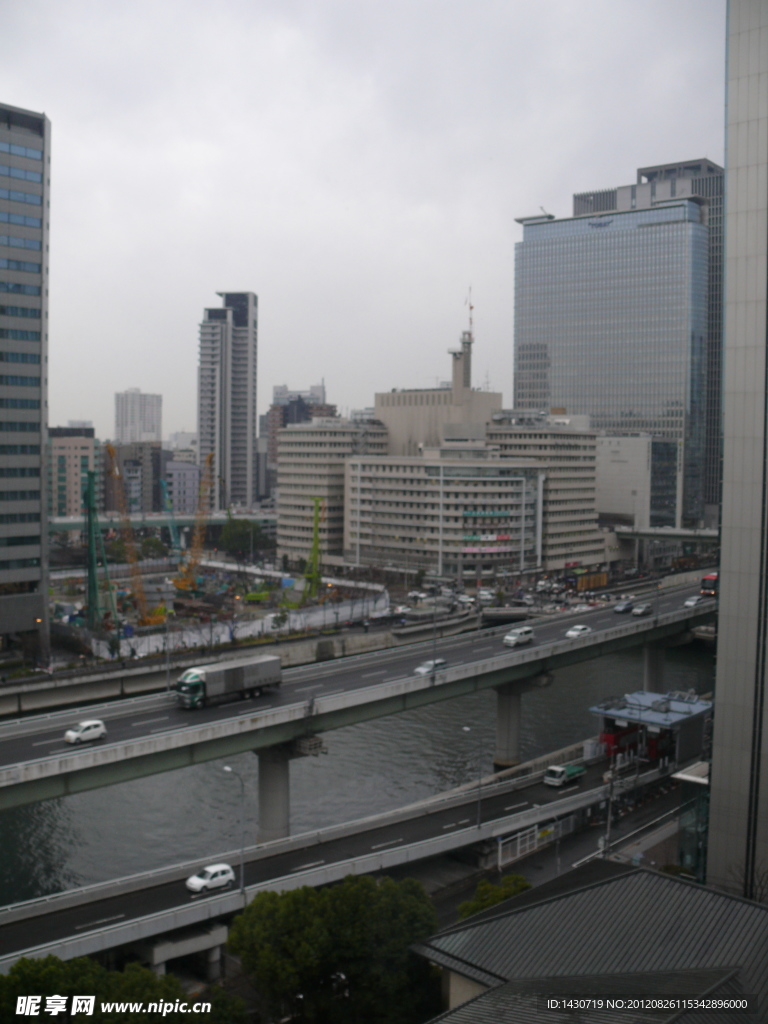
x,y
342,954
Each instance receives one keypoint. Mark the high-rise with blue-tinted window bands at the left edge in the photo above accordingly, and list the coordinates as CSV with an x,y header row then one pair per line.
x,y
25,184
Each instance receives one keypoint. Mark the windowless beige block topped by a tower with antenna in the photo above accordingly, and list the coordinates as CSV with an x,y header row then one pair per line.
x,y
416,419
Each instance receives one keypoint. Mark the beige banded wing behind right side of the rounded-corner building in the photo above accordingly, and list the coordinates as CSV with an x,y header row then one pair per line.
x,y
567,448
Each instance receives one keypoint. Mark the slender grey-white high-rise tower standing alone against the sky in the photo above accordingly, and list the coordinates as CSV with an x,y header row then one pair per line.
x,y
227,398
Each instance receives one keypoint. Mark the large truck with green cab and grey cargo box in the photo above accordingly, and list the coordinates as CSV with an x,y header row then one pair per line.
x,y
222,681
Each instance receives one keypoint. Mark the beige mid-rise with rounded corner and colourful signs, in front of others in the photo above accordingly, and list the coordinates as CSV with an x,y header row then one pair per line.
x,y
455,511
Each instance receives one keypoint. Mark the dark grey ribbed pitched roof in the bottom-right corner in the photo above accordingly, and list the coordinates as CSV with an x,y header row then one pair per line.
x,y
642,932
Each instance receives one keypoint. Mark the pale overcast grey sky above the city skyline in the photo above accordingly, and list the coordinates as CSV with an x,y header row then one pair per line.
x,y
359,164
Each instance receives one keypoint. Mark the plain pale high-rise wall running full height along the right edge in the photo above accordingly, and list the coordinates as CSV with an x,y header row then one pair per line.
x,y
738,854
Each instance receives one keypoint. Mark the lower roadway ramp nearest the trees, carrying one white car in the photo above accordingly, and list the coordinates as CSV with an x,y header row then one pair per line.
x,y
139,910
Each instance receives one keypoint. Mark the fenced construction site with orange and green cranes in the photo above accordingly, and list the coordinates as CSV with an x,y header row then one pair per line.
x,y
191,594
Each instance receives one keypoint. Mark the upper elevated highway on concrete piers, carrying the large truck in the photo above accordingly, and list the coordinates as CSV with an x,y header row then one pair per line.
x,y
153,735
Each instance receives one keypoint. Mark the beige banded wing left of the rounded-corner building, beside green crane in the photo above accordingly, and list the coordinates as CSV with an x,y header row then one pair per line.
x,y
311,465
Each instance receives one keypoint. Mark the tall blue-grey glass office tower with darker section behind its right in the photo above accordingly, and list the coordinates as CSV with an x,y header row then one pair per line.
x,y
612,315
